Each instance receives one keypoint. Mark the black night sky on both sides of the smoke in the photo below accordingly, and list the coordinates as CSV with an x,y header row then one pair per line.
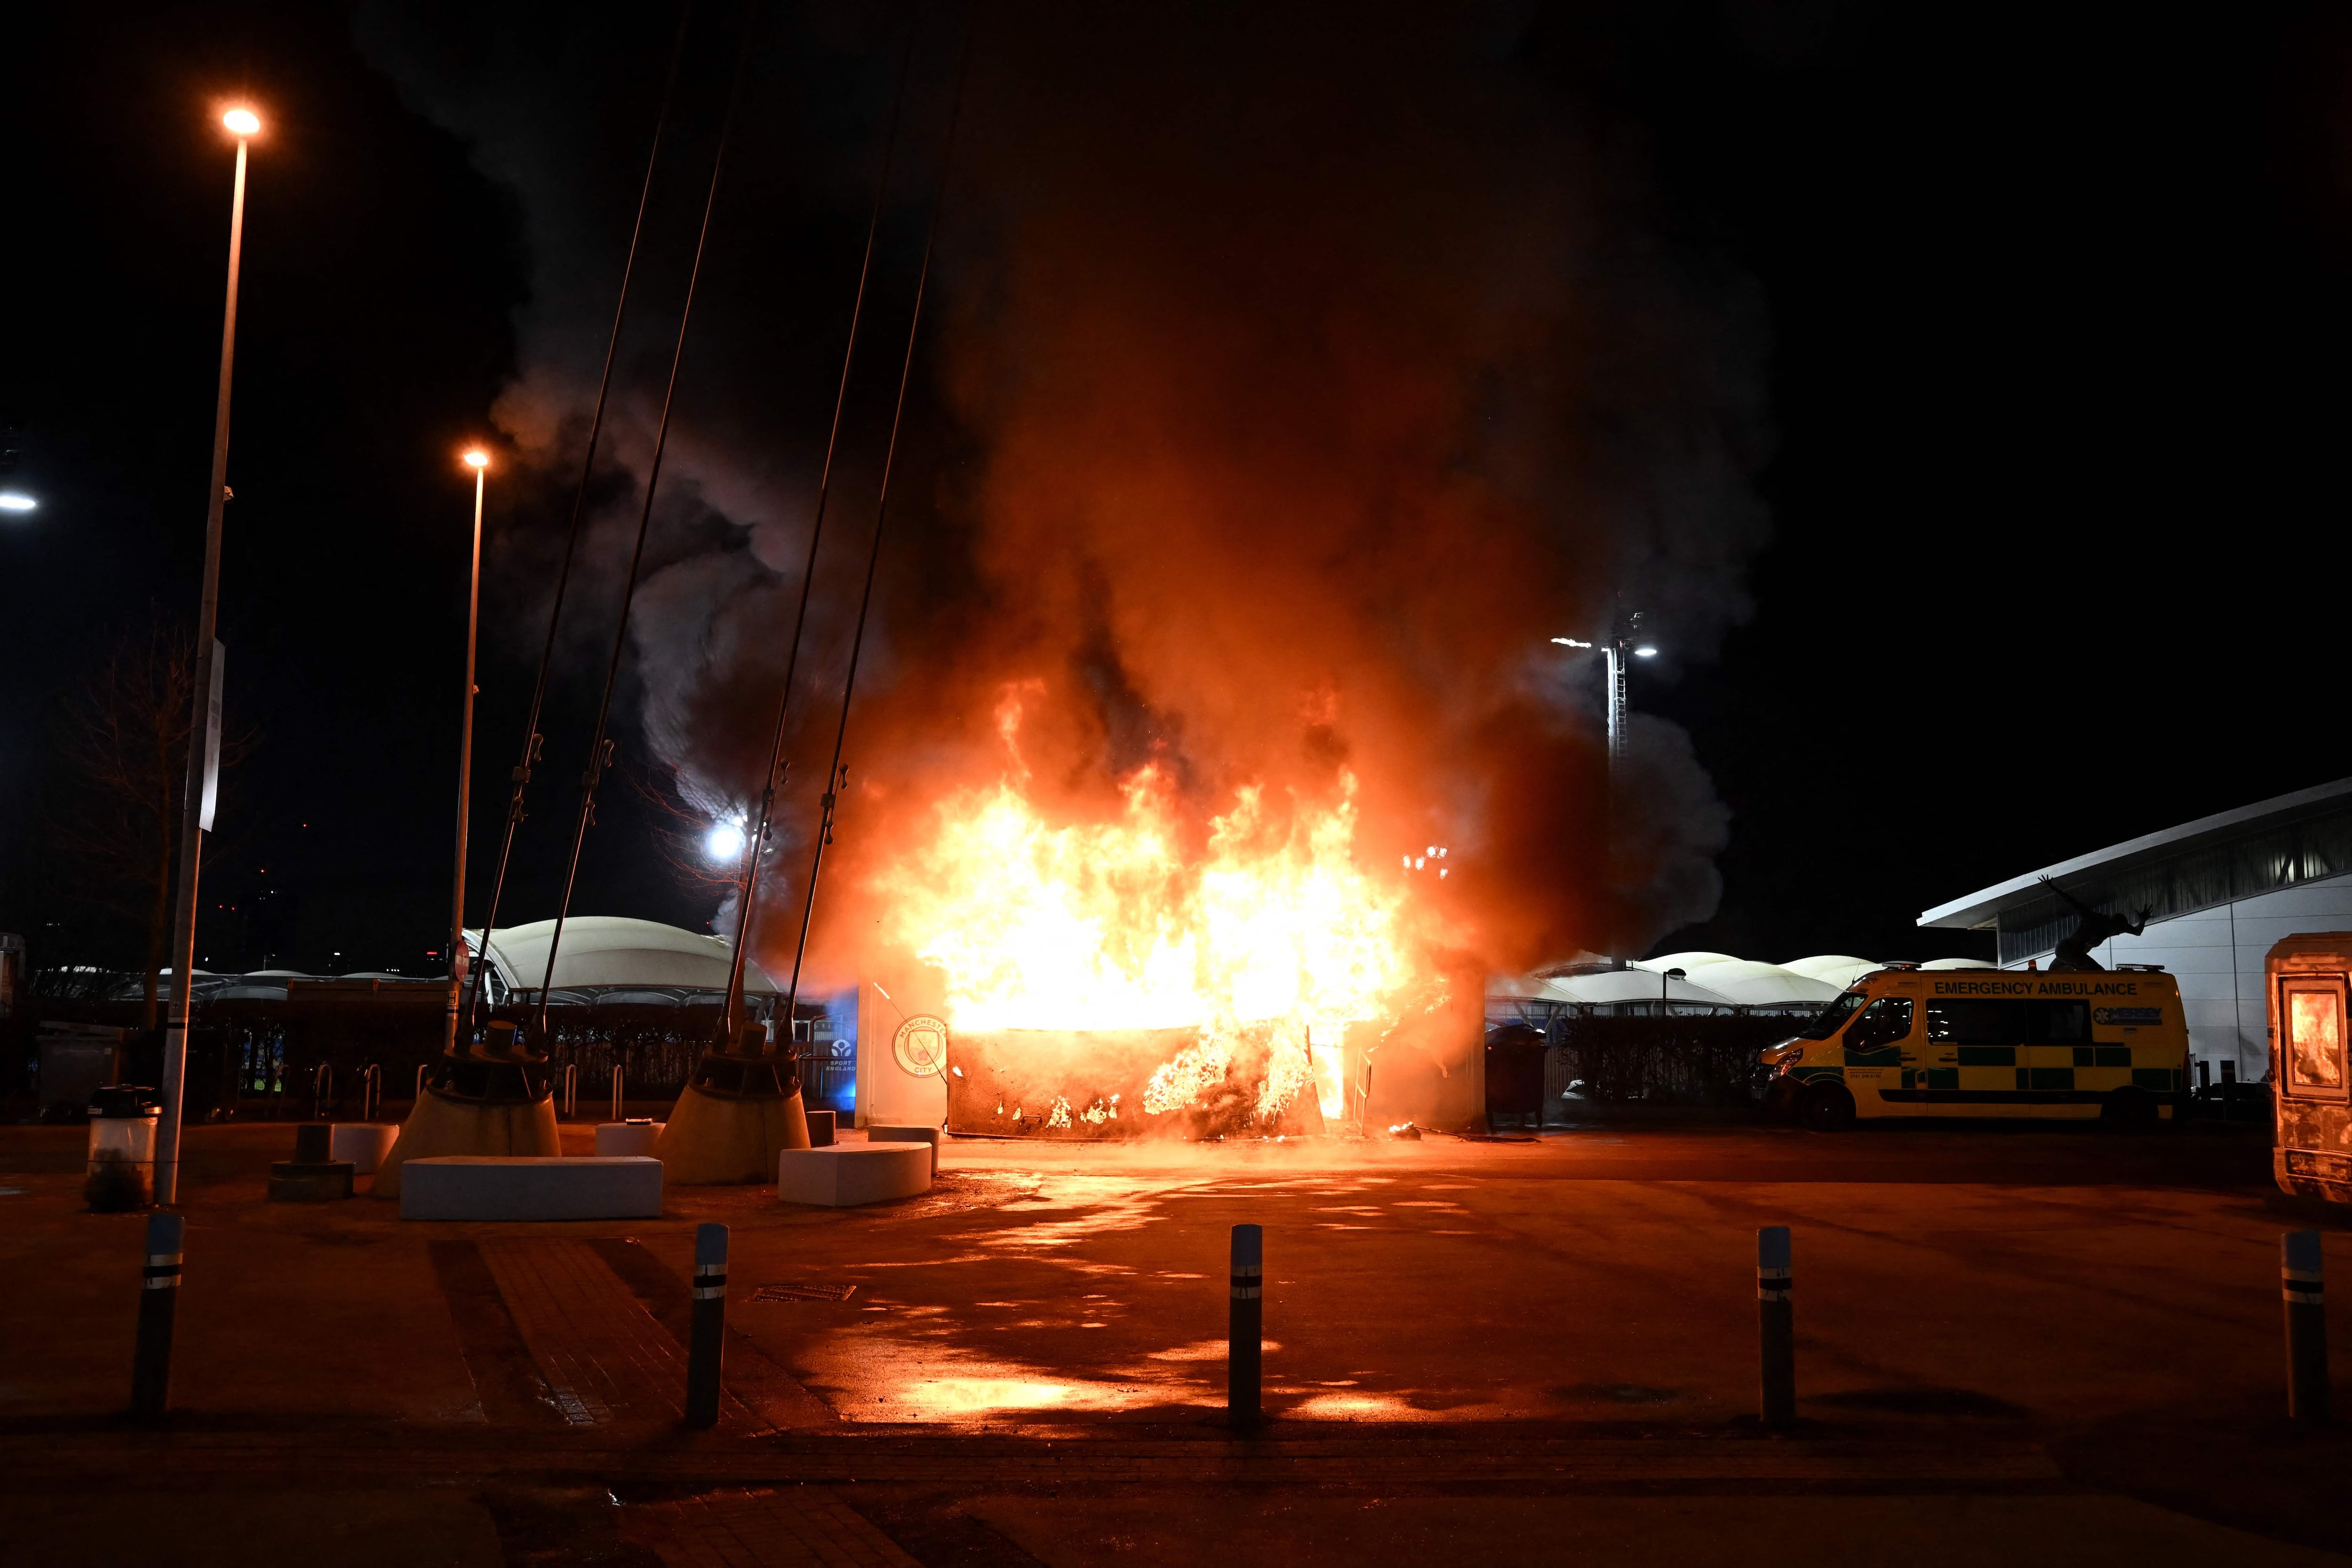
x,y
2057,314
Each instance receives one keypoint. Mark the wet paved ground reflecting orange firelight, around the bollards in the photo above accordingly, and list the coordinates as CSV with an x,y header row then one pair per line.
x,y
2045,1346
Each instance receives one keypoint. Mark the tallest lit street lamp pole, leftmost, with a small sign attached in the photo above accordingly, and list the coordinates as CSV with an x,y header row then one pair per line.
x,y
206,723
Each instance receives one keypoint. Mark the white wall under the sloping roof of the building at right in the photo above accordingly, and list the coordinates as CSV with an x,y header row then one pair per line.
x,y
2219,960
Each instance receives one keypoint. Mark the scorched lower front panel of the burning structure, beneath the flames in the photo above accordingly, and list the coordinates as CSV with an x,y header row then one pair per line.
x,y
1257,1080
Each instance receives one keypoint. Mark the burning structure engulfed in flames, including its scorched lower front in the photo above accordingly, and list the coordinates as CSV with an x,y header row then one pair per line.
x,y
1154,977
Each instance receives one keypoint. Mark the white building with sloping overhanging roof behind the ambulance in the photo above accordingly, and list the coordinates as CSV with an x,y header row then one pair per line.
x,y
2219,892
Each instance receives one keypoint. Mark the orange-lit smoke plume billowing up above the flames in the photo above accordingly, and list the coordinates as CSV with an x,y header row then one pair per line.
x,y
1290,380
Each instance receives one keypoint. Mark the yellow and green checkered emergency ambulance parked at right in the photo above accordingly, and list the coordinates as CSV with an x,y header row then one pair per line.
x,y
1989,1043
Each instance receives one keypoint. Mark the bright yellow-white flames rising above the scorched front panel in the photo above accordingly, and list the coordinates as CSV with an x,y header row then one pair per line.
x,y
1262,923
